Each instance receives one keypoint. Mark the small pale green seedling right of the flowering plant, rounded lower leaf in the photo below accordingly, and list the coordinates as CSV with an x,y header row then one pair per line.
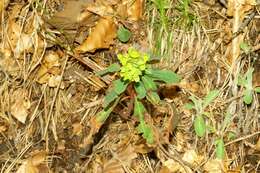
x,y
200,105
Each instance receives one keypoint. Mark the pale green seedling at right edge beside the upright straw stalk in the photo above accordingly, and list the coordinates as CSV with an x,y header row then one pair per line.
x,y
246,82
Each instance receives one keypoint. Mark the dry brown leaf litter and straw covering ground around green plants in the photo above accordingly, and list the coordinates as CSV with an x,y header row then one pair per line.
x,y
50,52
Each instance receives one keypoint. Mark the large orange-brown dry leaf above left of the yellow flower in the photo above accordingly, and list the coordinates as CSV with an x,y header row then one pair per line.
x,y
102,36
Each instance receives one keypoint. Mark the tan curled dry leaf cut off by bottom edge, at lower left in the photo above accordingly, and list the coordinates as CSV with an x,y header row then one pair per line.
x,y
34,164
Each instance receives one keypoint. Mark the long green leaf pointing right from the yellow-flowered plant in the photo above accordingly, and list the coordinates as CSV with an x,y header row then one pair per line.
x,y
166,76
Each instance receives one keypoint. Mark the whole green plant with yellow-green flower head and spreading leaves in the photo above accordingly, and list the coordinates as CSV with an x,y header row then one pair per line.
x,y
134,69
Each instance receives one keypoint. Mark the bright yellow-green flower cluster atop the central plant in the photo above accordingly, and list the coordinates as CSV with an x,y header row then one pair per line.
x,y
133,64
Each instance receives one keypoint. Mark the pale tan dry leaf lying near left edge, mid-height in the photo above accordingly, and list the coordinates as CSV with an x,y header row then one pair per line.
x,y
20,104
